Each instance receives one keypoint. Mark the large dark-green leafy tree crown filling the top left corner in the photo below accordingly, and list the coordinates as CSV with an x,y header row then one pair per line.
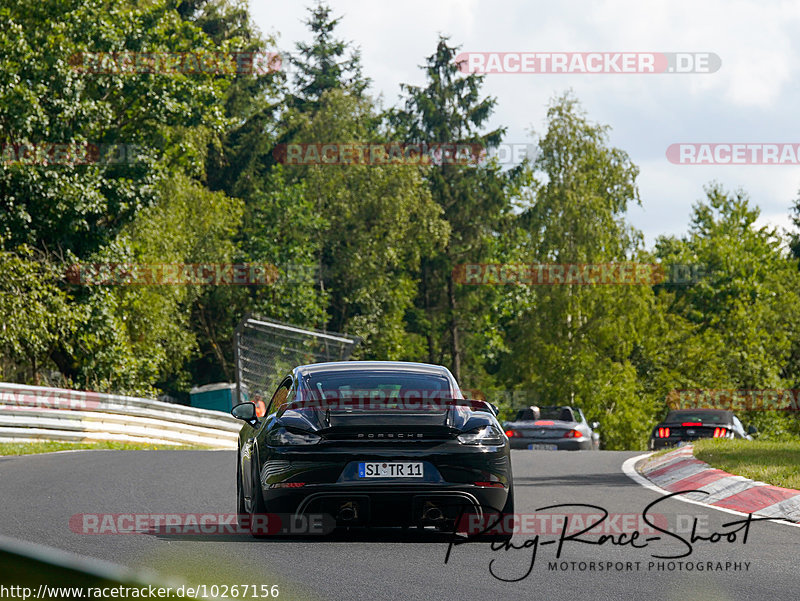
x,y
47,98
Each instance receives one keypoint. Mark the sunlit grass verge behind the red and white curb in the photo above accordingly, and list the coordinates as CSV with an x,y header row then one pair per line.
x,y
776,463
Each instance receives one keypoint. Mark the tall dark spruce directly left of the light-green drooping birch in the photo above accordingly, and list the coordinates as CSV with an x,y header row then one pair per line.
x,y
450,110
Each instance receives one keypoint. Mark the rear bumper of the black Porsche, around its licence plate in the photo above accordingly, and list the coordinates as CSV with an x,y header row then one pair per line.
x,y
326,480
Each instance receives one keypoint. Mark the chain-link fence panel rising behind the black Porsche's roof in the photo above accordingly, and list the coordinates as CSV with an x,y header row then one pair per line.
x,y
267,350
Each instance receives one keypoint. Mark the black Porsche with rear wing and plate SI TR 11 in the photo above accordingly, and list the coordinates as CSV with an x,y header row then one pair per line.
x,y
378,443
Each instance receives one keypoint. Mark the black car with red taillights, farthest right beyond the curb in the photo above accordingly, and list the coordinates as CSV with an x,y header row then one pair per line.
x,y
685,425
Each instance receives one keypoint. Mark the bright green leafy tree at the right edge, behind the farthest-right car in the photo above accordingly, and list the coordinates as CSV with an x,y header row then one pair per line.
x,y
737,327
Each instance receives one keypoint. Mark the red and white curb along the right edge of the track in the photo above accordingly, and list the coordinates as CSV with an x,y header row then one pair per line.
x,y
678,471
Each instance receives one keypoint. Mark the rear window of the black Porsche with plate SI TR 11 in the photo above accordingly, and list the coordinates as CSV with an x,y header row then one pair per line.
x,y
385,385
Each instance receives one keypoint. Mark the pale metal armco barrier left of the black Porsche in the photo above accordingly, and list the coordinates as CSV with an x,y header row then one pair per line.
x,y
29,413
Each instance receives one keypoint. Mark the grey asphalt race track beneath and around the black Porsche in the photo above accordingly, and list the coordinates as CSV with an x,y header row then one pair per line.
x,y
41,492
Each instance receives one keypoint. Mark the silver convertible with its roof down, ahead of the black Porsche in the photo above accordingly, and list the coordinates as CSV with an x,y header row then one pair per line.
x,y
554,428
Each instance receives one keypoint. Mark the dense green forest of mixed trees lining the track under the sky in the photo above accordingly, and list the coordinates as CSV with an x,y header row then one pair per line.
x,y
371,249
